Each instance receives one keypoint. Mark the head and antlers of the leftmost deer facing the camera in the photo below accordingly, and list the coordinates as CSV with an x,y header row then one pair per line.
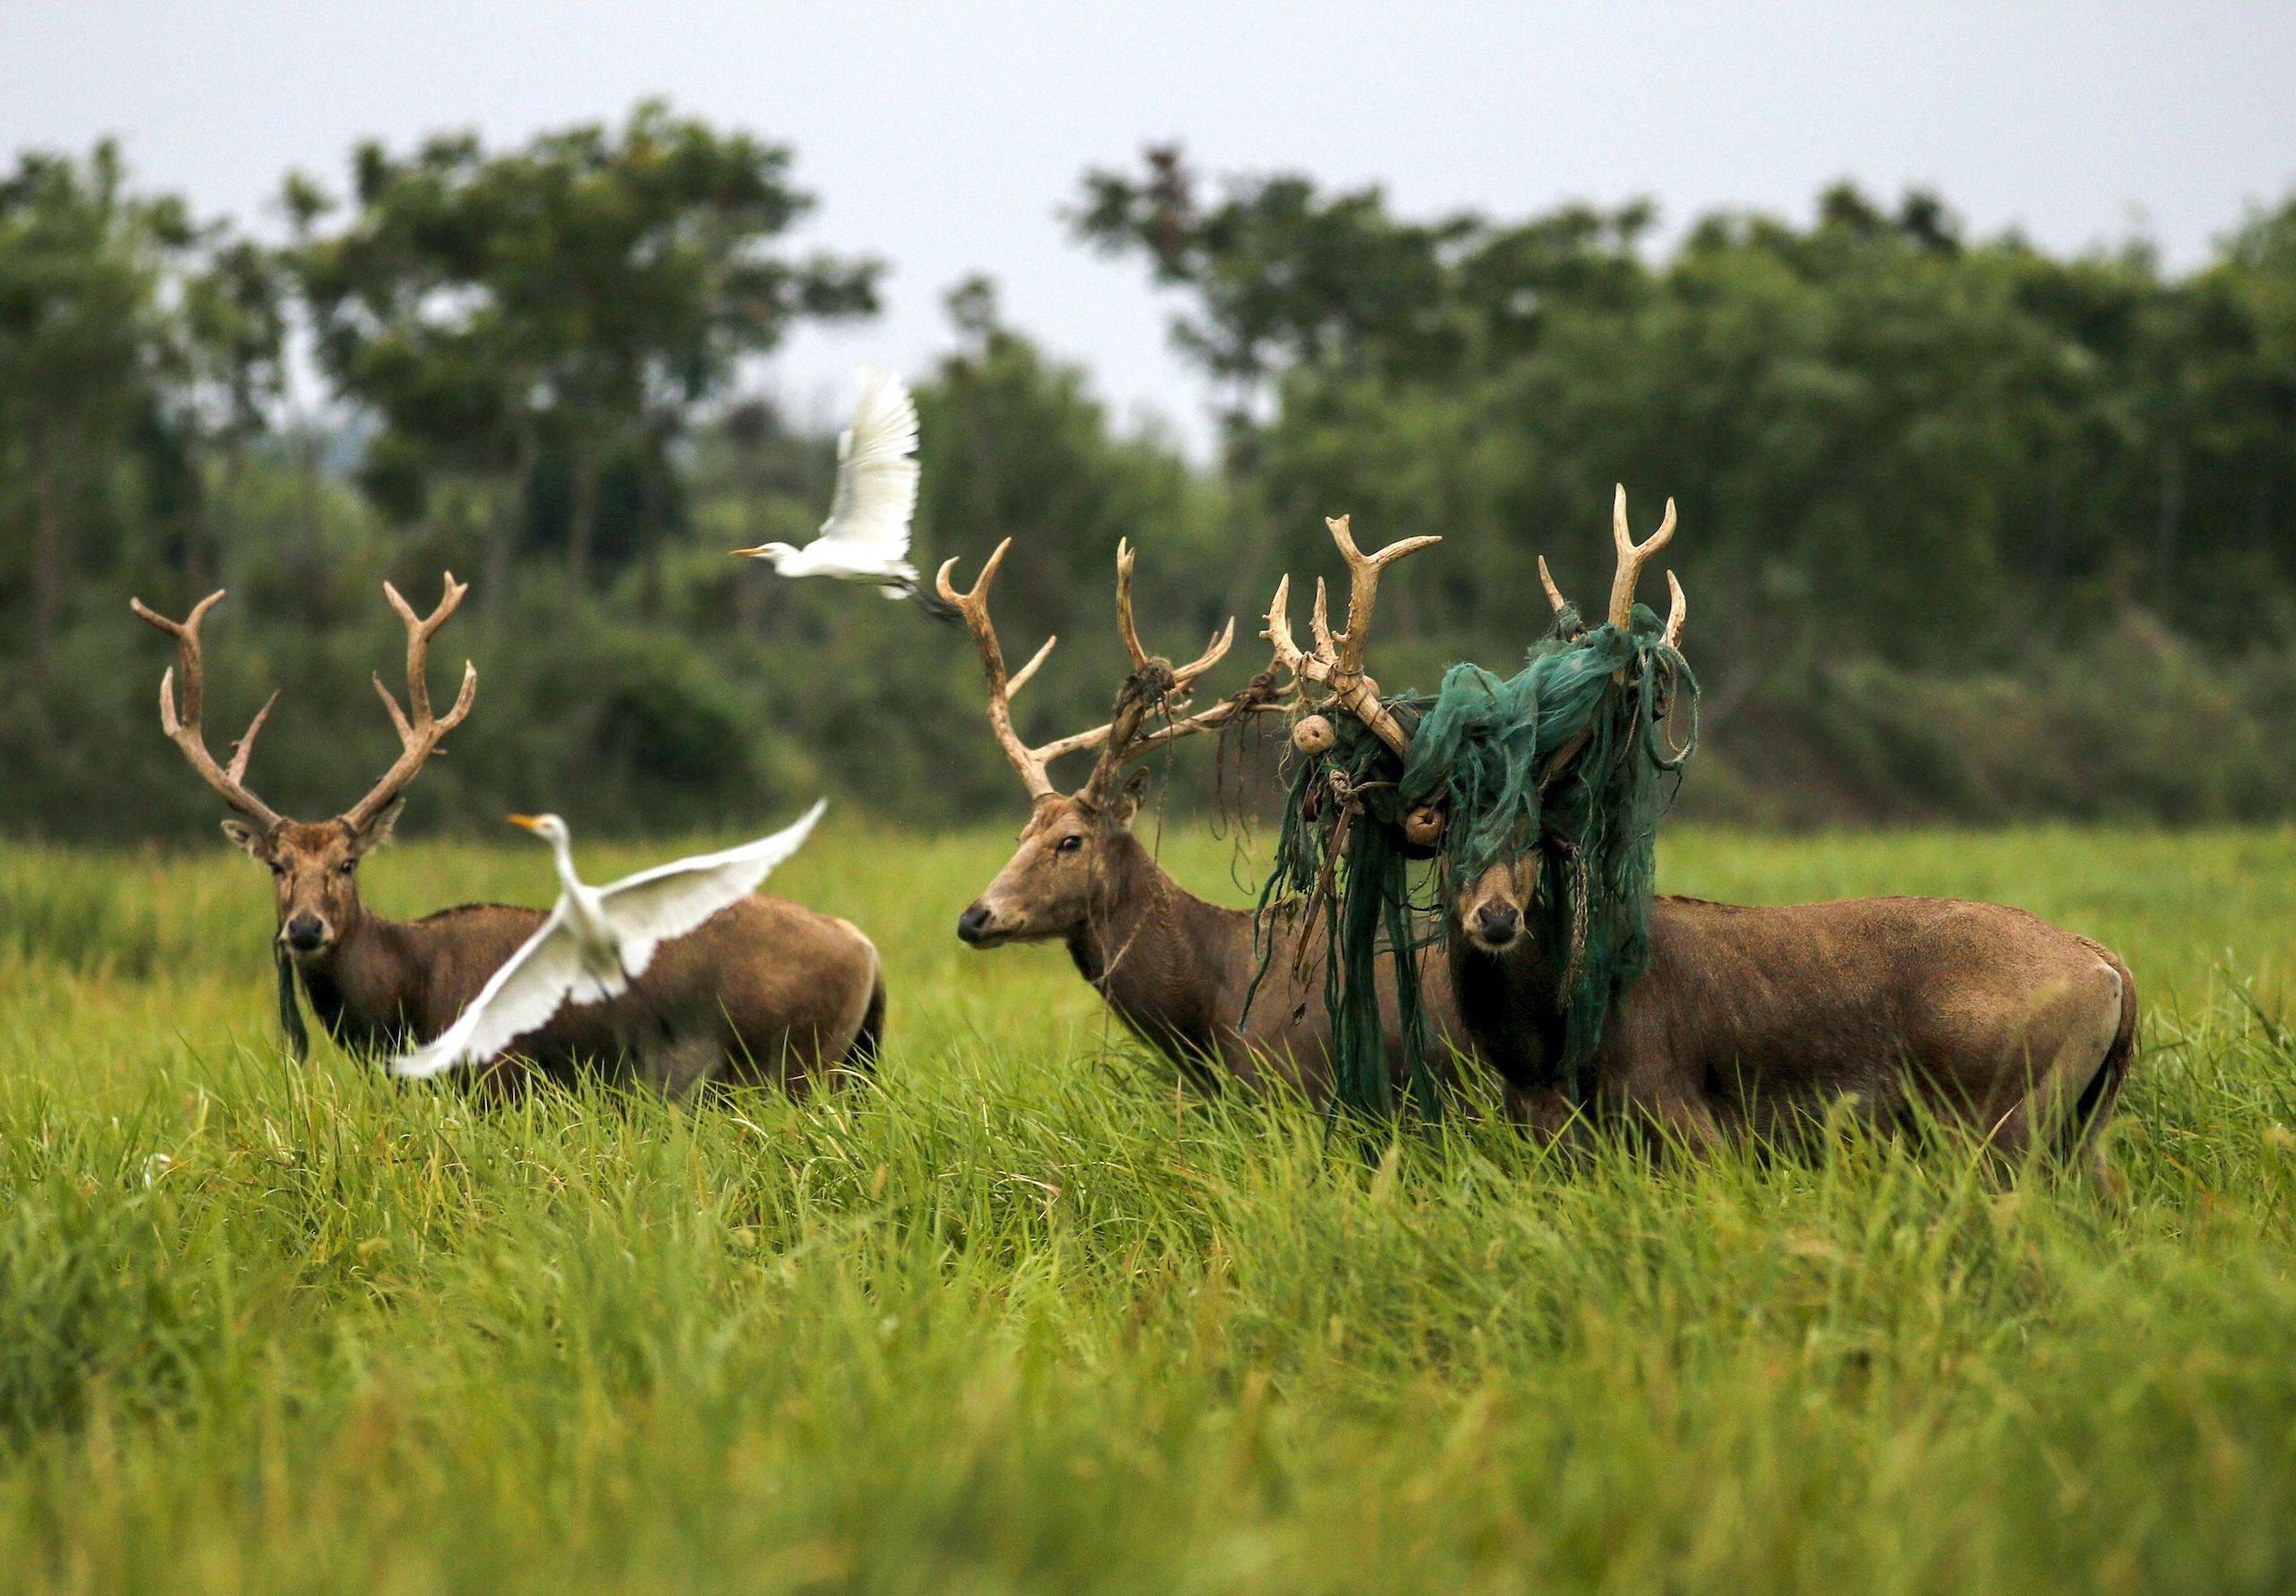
x,y
313,865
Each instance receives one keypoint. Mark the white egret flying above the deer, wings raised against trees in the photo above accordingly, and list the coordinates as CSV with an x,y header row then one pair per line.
x,y
867,536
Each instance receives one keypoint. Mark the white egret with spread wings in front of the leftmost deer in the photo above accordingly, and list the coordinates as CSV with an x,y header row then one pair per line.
x,y
598,938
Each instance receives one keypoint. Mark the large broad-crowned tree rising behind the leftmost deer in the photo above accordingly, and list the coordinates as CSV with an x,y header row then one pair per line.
x,y
568,300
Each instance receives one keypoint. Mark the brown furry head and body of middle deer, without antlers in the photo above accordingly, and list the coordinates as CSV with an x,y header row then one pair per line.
x,y
1170,966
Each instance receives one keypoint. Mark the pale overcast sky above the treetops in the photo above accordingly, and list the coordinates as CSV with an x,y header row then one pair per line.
x,y
947,137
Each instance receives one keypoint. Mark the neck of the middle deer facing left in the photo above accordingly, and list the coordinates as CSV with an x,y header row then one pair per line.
x,y
1158,954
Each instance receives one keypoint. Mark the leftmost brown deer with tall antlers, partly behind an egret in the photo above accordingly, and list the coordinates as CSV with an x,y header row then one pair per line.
x,y
763,991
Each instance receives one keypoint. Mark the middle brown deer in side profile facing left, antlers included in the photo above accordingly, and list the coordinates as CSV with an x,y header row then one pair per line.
x,y
1174,968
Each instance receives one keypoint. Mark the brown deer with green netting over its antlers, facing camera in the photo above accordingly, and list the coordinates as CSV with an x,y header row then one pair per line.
x,y
1762,1021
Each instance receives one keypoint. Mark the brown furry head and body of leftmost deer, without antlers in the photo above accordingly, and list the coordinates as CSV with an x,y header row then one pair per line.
x,y
766,991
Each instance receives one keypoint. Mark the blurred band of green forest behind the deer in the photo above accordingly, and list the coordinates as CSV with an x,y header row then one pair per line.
x,y
1971,529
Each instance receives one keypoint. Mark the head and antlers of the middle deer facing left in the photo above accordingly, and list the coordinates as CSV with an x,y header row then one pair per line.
x,y
1078,846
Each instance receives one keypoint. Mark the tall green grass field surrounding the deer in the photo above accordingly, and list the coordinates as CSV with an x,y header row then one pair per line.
x,y
1016,1317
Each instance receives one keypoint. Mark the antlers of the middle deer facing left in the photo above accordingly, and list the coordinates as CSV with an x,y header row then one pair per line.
x,y
1151,685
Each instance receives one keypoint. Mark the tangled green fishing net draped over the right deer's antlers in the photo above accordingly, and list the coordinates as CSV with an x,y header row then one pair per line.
x,y
1569,759
